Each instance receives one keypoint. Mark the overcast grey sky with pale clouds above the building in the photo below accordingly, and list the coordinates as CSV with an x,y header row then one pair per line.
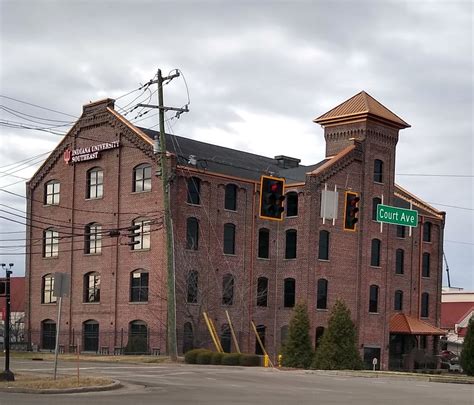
x,y
255,70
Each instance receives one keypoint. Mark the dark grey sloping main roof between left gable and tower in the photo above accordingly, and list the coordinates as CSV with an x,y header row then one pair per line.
x,y
231,162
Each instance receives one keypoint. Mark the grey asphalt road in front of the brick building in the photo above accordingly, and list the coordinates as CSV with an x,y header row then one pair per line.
x,y
186,384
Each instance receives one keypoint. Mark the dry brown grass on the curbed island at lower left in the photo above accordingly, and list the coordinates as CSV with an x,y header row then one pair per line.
x,y
35,382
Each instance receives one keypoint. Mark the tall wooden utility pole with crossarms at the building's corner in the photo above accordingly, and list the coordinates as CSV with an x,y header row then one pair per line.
x,y
159,148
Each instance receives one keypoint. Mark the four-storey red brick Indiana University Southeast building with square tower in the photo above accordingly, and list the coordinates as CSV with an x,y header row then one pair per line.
x,y
103,178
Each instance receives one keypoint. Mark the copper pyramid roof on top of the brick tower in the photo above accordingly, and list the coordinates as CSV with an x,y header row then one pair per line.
x,y
360,107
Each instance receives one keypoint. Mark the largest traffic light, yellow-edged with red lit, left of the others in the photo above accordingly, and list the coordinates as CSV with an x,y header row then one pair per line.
x,y
271,198
